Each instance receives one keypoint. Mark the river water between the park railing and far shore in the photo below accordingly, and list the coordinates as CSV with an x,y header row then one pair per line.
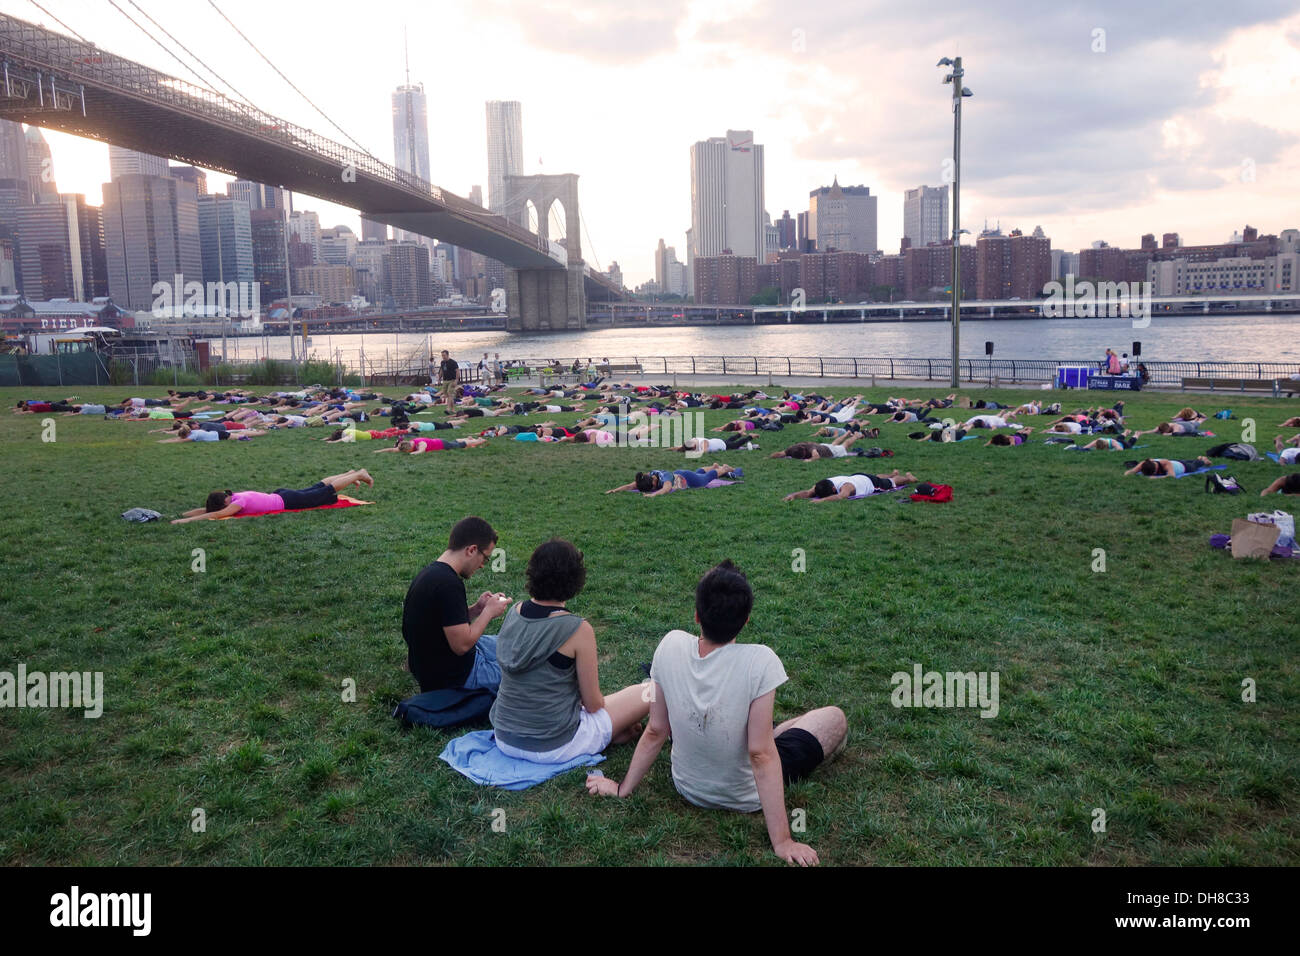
x,y
1168,339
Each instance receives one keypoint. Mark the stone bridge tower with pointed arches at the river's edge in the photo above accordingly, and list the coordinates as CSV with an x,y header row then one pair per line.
x,y
548,300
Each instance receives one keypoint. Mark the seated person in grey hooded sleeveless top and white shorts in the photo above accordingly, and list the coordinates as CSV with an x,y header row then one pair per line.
x,y
549,708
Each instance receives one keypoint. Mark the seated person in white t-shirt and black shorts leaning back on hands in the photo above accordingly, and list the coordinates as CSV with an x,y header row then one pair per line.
x,y
736,760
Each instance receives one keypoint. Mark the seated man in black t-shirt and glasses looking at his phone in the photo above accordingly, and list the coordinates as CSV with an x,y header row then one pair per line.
x,y
445,638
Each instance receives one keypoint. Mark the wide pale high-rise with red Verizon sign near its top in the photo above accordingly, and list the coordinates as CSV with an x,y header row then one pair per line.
x,y
727,197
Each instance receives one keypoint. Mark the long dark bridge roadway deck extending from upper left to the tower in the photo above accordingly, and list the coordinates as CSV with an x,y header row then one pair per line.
x,y
58,83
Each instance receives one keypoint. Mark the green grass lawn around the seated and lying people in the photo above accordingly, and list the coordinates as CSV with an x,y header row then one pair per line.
x,y
224,690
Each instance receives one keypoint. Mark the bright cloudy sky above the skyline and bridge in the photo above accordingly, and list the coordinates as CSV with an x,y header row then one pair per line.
x,y
1097,120
